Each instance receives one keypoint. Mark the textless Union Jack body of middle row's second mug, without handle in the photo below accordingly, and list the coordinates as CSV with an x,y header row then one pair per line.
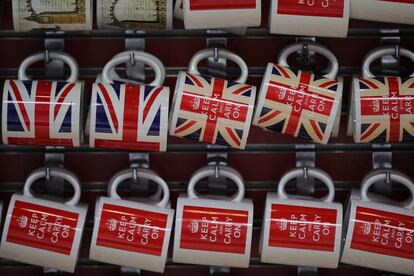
x,y
129,116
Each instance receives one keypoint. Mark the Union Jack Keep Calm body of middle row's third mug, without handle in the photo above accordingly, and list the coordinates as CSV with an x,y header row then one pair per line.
x,y
213,110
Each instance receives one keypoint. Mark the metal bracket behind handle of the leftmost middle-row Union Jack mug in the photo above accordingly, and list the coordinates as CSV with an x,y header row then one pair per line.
x,y
54,41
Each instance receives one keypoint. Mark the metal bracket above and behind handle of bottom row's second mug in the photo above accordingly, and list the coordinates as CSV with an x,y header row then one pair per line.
x,y
139,187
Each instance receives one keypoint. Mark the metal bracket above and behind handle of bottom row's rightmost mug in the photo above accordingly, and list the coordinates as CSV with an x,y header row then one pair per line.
x,y
382,159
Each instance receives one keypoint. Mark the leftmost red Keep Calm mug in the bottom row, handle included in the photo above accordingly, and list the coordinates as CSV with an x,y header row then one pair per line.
x,y
44,232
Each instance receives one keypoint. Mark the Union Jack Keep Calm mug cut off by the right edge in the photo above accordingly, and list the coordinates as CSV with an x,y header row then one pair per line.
x,y
382,108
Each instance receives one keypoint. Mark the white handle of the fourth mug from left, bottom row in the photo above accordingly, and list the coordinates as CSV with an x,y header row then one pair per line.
x,y
313,172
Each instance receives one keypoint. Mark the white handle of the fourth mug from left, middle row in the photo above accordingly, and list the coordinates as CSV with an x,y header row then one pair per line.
x,y
314,47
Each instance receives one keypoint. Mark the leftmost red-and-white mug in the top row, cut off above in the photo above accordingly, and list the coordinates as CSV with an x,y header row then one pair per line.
x,y
207,14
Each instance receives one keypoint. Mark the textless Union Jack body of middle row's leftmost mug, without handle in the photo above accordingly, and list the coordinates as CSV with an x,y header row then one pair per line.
x,y
43,113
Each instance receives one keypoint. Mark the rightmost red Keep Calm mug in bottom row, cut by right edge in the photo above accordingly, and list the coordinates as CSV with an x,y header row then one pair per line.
x,y
380,234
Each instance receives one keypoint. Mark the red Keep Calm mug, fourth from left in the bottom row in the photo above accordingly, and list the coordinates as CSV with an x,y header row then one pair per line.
x,y
302,231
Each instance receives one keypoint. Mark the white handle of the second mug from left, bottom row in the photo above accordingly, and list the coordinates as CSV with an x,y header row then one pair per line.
x,y
141,173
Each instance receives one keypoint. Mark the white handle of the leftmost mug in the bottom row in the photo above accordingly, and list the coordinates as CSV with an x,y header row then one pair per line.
x,y
54,172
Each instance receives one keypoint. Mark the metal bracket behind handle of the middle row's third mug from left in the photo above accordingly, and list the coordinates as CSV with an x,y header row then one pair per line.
x,y
216,66
